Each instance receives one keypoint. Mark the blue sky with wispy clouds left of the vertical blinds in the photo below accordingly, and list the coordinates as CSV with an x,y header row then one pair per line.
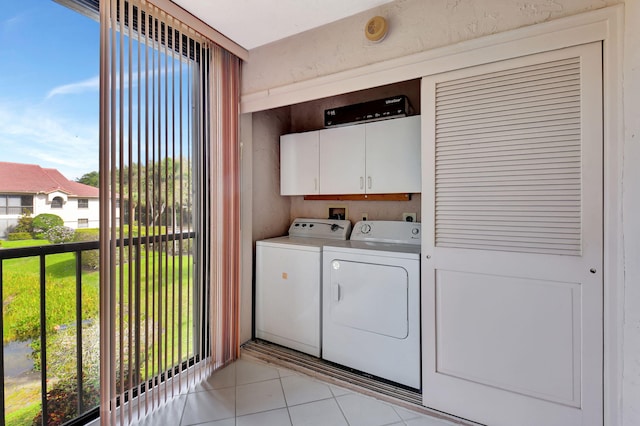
x,y
49,68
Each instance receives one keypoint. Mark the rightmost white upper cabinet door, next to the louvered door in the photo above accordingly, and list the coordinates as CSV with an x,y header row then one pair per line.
x,y
393,156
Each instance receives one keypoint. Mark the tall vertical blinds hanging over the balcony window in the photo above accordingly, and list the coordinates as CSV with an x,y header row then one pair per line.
x,y
169,234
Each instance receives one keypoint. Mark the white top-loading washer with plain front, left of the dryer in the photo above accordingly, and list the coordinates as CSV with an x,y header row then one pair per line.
x,y
288,283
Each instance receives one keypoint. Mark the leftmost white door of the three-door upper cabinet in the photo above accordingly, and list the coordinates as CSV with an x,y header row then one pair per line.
x,y
299,163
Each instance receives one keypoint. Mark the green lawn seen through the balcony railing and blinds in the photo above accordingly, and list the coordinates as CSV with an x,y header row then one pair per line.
x,y
21,311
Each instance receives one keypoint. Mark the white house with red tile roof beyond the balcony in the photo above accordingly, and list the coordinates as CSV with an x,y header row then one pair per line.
x,y
29,188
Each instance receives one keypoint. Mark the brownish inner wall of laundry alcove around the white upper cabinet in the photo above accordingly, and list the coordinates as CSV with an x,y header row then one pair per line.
x,y
267,128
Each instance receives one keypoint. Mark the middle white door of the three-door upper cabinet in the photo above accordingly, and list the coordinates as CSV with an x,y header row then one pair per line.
x,y
342,160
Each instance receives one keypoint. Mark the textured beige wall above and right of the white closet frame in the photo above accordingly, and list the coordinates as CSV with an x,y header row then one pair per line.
x,y
418,25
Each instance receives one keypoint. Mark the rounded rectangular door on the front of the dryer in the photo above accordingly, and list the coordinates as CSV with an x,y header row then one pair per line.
x,y
370,297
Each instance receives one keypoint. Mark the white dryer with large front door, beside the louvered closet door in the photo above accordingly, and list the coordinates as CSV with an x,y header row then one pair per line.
x,y
371,301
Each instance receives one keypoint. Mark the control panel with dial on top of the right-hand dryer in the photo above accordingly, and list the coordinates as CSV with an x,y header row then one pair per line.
x,y
387,231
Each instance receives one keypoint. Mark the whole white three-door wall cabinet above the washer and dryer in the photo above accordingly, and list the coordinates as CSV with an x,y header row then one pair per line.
x,y
374,158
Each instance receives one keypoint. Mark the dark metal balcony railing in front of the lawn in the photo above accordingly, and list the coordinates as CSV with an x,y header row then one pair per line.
x,y
43,253
